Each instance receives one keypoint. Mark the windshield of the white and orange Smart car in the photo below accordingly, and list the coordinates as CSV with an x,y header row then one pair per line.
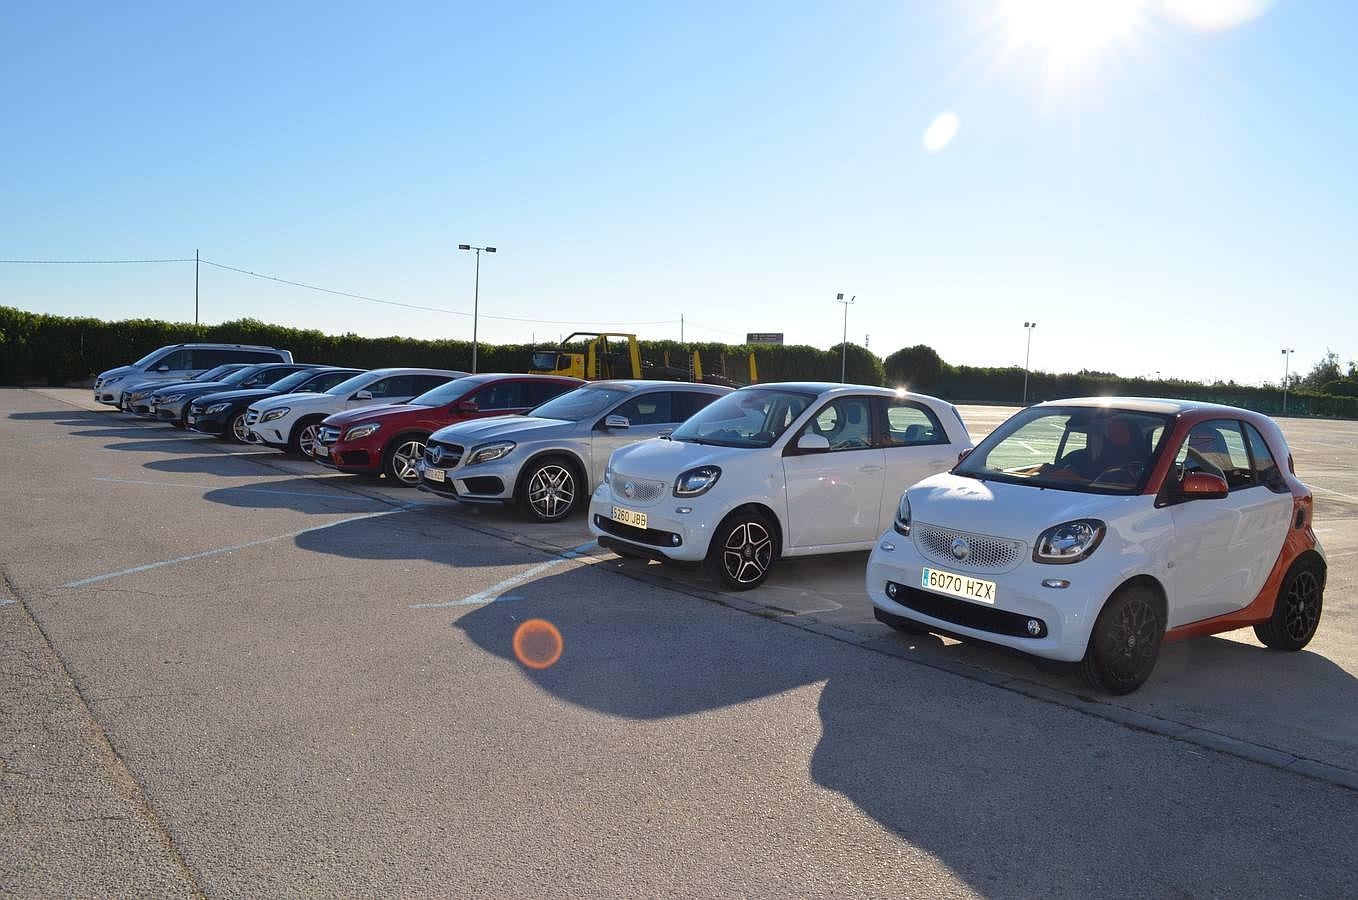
x,y
1091,450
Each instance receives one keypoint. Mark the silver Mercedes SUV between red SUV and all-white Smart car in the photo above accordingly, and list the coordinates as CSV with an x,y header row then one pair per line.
x,y
552,460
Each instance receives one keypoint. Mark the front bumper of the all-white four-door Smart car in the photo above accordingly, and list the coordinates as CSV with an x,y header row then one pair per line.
x,y
682,538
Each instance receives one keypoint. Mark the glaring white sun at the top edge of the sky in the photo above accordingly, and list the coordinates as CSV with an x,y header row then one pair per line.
x,y
1069,31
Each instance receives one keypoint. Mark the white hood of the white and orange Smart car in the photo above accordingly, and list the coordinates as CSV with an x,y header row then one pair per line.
x,y
1019,512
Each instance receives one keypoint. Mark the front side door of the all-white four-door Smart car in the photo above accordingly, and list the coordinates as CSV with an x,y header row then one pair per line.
x,y
834,496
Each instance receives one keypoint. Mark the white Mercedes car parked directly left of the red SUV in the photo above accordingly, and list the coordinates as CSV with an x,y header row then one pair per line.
x,y
293,421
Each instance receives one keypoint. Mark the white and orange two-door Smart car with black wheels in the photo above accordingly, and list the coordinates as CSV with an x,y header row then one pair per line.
x,y
1095,530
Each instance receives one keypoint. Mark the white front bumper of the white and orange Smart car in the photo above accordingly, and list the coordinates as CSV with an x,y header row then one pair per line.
x,y
1065,616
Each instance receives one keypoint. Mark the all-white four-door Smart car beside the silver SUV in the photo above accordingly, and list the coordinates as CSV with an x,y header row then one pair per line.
x,y
773,470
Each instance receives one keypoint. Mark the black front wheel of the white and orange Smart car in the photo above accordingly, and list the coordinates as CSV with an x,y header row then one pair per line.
x,y
1125,643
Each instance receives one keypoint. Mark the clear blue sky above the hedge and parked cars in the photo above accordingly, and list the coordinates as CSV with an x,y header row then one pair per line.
x,y
1174,200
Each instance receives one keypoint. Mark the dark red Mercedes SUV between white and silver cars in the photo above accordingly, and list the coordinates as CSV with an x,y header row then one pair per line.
x,y
392,439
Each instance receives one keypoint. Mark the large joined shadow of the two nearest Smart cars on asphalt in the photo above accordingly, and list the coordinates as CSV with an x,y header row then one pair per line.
x,y
1018,798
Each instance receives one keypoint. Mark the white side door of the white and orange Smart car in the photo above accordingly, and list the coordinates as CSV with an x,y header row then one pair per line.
x,y
1224,549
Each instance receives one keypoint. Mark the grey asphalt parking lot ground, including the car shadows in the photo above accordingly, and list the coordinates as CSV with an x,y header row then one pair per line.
x,y
236,674
